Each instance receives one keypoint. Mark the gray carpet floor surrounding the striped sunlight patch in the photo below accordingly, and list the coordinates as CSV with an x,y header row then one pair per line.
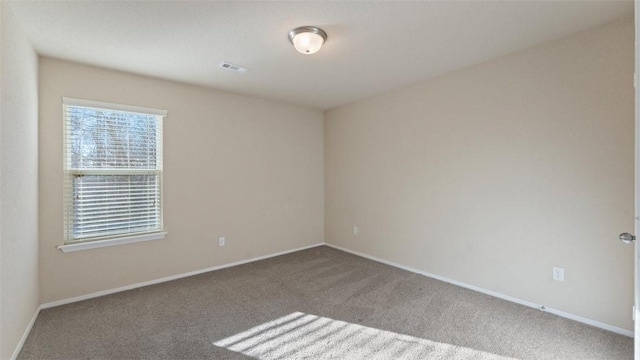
x,y
319,303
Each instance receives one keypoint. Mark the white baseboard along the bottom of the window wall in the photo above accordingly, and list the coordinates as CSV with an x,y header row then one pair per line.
x,y
169,278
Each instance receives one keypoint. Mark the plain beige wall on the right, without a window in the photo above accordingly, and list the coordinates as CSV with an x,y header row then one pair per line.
x,y
493,174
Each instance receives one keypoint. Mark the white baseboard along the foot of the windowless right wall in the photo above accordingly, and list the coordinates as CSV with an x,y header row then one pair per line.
x,y
563,314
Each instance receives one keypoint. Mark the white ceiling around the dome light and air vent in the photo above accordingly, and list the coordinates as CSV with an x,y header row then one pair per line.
x,y
372,46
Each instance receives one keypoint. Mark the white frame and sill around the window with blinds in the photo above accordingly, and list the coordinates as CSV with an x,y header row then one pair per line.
x,y
68,173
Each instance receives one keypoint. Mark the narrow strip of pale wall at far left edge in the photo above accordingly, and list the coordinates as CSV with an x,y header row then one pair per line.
x,y
19,190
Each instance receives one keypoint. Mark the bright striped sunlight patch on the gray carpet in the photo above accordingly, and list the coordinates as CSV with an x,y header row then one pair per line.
x,y
300,336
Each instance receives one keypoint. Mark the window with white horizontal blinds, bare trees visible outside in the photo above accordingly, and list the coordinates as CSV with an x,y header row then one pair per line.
x,y
113,173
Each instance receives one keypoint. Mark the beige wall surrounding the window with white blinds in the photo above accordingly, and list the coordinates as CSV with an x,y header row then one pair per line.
x,y
234,166
